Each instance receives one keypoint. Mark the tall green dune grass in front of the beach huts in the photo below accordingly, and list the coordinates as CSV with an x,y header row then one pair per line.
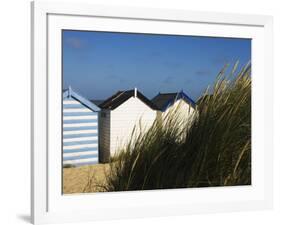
x,y
215,149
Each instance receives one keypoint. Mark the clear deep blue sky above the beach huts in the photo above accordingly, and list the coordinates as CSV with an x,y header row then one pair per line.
x,y
97,64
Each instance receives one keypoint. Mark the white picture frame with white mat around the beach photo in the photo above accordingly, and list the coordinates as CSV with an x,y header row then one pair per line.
x,y
48,205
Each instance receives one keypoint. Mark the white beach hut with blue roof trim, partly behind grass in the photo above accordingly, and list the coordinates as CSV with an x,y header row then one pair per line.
x,y
178,102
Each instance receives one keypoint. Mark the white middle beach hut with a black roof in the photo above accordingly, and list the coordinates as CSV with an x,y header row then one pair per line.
x,y
121,114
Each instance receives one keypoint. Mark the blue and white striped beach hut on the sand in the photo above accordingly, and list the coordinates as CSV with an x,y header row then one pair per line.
x,y
80,130
